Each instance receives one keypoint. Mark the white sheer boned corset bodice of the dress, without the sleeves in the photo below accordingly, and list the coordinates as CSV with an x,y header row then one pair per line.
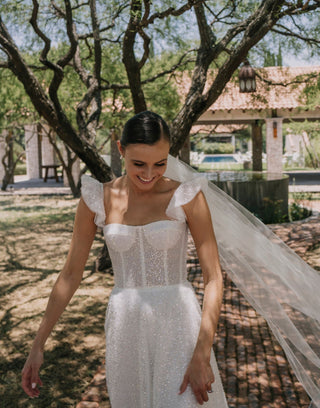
x,y
148,255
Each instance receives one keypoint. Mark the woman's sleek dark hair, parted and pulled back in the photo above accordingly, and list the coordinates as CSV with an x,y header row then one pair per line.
x,y
145,127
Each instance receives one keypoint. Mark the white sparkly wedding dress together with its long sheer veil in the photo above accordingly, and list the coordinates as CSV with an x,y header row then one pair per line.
x,y
157,348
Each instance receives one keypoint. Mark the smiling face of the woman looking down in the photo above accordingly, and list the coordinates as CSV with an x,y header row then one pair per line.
x,y
145,164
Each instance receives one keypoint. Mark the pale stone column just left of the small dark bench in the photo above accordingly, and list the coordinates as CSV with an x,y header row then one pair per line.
x,y
33,151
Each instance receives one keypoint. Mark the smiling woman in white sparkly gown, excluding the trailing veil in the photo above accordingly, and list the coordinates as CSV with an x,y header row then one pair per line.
x,y
158,345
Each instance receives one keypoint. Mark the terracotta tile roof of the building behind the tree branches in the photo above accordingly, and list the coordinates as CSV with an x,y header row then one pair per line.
x,y
266,96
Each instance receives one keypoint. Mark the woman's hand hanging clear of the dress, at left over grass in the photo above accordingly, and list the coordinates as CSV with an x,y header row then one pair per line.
x,y
30,373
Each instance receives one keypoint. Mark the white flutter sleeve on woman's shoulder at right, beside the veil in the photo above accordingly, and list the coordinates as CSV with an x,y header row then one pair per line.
x,y
183,195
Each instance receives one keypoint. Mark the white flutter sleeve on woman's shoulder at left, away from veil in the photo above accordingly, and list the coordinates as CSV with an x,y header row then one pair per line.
x,y
92,194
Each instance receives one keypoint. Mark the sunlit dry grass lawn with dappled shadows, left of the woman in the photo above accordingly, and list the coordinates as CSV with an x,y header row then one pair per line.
x,y
35,232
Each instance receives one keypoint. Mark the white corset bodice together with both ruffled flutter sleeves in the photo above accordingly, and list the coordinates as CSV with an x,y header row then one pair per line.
x,y
146,255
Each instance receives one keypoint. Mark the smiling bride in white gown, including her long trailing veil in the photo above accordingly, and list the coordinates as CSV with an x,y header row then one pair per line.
x,y
158,342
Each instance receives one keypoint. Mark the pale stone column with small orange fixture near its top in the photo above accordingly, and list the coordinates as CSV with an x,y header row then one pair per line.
x,y
274,144
